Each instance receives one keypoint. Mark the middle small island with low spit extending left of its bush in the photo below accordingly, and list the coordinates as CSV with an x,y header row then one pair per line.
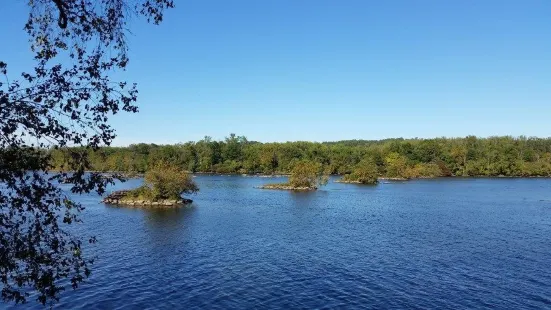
x,y
305,176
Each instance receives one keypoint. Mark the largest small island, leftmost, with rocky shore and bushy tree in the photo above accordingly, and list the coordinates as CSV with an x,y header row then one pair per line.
x,y
164,186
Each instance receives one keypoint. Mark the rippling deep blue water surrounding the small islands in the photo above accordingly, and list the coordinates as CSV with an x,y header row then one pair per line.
x,y
448,243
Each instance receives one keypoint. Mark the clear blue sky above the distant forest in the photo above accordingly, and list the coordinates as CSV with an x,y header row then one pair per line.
x,y
326,70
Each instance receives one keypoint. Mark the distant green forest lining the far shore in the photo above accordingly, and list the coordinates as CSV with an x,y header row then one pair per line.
x,y
408,158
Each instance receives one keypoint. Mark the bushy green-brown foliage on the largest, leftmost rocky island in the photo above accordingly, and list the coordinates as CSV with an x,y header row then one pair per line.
x,y
168,181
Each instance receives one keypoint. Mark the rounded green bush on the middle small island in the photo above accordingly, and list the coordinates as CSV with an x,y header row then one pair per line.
x,y
308,174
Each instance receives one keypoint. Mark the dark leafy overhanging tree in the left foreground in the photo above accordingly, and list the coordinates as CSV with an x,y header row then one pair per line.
x,y
66,99
